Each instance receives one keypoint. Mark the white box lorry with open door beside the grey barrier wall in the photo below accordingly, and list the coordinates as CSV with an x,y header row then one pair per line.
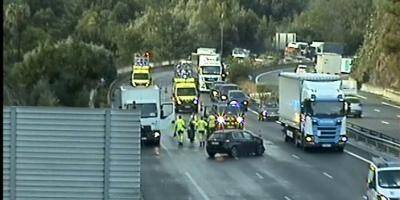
x,y
154,114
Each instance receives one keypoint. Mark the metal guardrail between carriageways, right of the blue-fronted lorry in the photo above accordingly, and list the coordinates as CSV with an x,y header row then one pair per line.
x,y
375,139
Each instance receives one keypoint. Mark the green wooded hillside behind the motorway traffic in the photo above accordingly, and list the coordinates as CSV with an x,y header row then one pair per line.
x,y
56,51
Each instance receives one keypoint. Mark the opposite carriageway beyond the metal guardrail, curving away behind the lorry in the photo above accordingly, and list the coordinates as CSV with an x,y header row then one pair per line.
x,y
379,114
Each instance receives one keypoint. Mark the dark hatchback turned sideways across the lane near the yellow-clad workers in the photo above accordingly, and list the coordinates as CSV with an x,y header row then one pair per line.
x,y
234,142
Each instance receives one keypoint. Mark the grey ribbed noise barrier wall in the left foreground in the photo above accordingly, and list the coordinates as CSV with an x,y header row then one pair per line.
x,y
70,153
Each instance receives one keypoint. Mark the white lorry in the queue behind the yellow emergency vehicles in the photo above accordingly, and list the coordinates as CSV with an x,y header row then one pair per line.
x,y
209,68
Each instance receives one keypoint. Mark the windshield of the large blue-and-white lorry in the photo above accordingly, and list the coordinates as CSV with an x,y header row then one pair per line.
x,y
327,108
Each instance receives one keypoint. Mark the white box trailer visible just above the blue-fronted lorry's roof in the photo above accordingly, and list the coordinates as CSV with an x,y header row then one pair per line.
x,y
329,63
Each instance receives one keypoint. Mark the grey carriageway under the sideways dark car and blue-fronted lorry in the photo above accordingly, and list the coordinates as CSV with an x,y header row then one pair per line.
x,y
283,172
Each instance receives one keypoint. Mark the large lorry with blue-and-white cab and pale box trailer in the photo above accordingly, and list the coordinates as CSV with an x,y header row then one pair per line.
x,y
311,110
